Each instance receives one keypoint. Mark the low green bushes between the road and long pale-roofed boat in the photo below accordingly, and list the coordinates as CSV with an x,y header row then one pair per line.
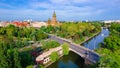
x,y
50,44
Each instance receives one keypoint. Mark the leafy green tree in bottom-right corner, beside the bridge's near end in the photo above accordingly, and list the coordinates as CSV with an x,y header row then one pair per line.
x,y
108,60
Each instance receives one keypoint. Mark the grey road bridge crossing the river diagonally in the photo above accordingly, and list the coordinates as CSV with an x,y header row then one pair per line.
x,y
85,53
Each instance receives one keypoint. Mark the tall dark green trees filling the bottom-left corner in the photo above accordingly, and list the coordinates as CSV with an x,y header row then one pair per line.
x,y
9,58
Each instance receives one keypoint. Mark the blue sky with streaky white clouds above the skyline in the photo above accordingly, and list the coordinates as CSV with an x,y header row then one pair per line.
x,y
66,10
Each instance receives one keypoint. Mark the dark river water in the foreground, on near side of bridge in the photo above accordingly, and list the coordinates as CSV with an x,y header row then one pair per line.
x,y
70,61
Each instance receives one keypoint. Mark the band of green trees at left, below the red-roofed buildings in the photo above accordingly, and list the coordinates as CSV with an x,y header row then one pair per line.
x,y
23,33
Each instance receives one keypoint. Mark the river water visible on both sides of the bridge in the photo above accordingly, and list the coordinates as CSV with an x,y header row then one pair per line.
x,y
75,61
